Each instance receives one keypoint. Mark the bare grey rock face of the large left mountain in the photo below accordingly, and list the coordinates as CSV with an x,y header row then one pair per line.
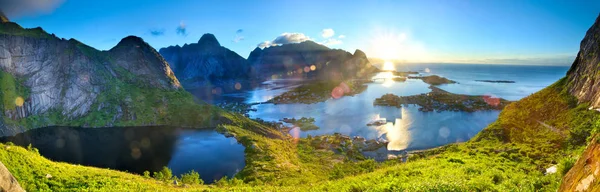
x,y
65,77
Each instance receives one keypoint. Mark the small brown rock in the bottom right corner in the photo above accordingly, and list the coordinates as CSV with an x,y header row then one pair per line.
x,y
585,174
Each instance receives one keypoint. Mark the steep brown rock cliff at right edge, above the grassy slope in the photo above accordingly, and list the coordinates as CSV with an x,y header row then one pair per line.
x,y
584,75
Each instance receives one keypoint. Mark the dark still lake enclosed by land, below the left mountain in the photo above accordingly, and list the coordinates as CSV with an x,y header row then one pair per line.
x,y
139,149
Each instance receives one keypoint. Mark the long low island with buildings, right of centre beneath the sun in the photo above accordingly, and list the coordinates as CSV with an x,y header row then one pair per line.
x,y
441,100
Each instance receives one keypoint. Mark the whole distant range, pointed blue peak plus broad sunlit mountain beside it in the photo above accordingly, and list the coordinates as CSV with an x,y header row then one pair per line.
x,y
207,62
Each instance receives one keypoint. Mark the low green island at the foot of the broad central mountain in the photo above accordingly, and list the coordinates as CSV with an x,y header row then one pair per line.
x,y
320,91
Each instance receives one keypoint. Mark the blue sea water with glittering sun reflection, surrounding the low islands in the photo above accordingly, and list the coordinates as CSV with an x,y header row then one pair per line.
x,y
406,128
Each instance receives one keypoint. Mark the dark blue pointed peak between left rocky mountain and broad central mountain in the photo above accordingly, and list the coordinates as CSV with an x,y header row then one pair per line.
x,y
206,61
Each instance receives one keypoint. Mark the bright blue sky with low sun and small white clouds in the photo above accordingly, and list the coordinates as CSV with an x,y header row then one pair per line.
x,y
461,31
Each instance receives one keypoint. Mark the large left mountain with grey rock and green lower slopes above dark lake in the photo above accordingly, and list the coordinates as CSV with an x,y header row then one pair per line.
x,y
48,81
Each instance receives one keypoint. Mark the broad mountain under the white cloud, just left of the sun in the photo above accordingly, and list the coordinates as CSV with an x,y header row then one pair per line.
x,y
296,59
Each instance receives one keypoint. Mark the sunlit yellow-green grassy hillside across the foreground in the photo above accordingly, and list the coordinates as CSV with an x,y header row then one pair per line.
x,y
544,129
